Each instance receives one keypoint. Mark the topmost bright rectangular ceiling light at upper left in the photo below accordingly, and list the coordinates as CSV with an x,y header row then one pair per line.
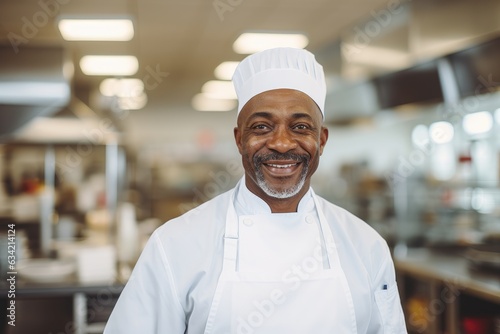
x,y
96,30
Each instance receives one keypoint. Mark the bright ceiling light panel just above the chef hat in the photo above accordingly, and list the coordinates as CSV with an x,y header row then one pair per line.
x,y
248,43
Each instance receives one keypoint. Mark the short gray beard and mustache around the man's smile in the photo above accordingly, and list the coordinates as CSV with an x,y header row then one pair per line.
x,y
285,193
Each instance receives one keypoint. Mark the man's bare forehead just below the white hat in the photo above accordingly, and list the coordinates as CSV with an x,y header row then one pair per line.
x,y
283,101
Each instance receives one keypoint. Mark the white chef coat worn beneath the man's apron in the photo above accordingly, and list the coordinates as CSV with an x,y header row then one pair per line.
x,y
173,283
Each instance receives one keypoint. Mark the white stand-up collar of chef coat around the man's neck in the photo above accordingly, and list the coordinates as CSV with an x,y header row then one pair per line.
x,y
247,203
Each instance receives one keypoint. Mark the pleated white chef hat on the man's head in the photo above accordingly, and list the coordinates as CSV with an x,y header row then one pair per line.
x,y
280,68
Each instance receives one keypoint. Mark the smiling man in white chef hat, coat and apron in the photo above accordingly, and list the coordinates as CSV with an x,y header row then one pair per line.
x,y
268,256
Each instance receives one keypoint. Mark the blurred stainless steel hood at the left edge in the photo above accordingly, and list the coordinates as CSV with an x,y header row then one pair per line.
x,y
34,81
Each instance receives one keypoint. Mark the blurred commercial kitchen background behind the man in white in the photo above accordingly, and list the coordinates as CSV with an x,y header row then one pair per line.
x,y
95,153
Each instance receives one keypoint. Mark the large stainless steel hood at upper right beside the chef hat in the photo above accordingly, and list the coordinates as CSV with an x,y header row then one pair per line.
x,y
395,57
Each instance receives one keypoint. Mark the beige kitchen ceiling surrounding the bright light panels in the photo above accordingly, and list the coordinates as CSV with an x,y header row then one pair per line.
x,y
186,38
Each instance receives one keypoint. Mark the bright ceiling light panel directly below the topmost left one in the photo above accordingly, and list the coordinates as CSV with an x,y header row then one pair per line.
x,y
109,65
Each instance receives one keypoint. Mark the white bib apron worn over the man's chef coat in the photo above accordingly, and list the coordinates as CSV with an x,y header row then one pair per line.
x,y
313,296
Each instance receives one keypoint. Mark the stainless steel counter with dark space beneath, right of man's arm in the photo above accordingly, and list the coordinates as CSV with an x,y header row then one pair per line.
x,y
440,291
